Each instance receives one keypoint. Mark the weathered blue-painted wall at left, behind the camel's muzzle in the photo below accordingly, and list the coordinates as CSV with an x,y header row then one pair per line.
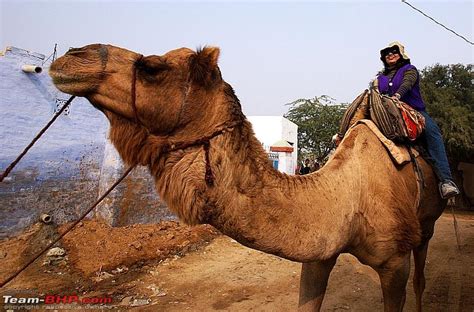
x,y
63,172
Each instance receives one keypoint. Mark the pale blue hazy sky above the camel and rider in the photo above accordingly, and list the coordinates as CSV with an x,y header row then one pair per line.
x,y
272,52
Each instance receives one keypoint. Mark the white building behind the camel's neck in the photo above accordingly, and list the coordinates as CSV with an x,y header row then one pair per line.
x,y
279,137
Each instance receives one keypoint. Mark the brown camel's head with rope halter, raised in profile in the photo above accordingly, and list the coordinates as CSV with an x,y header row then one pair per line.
x,y
162,94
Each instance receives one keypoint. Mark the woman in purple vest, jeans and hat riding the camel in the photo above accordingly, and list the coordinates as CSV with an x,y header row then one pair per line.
x,y
401,80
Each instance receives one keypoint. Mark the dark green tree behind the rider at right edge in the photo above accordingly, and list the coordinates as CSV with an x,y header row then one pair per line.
x,y
449,95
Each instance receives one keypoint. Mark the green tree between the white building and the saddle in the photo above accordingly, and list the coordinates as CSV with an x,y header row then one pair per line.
x,y
318,120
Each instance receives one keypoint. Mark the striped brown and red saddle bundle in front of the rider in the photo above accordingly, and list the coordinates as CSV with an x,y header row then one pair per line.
x,y
397,120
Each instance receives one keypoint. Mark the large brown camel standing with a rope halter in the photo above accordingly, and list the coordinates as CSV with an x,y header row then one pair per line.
x,y
176,115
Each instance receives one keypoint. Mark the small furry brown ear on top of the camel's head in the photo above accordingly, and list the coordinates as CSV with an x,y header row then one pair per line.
x,y
204,69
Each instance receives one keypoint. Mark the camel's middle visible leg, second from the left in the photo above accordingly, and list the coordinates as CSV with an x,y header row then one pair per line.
x,y
393,279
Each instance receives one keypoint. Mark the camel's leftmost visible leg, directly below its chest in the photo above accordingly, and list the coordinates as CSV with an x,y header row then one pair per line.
x,y
313,282
